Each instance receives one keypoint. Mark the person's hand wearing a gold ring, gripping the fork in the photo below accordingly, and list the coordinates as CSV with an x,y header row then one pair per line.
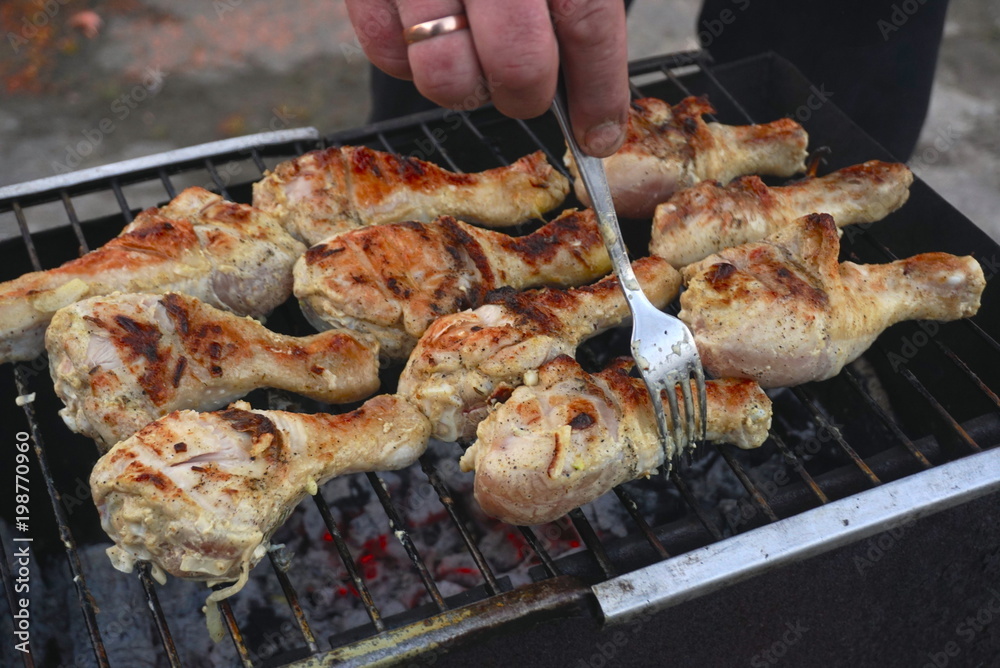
x,y
515,48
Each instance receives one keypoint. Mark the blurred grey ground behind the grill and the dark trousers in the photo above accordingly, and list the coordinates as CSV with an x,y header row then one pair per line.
x,y
118,79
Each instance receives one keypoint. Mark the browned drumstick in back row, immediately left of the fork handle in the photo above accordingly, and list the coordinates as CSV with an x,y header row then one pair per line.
x,y
328,192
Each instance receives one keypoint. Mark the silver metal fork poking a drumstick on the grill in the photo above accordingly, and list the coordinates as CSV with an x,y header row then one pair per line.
x,y
662,345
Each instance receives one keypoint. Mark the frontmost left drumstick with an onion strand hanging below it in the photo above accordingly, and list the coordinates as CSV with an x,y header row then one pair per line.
x,y
200,494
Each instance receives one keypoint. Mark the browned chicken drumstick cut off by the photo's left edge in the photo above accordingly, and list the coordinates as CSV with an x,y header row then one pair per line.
x,y
229,255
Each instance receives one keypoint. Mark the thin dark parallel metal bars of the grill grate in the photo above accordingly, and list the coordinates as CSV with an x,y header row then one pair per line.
x,y
596,550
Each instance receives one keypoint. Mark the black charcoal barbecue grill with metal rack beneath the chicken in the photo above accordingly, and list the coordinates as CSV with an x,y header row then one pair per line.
x,y
904,433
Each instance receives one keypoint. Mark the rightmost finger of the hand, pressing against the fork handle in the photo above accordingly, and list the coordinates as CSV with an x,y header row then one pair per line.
x,y
593,51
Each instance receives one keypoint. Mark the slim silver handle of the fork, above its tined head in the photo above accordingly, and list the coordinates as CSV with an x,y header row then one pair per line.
x,y
591,171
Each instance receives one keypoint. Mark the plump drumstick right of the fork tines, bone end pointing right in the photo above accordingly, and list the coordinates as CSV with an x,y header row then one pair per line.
x,y
784,312
